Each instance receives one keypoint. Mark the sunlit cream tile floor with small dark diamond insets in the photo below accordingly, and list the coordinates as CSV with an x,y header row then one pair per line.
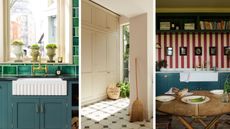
x,y
110,114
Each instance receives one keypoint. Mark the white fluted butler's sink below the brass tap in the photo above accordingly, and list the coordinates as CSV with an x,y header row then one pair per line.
x,y
39,86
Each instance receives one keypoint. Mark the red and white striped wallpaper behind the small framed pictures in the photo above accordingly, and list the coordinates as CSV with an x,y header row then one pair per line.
x,y
192,40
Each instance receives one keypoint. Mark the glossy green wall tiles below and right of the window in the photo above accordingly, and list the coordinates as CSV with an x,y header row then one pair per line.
x,y
26,69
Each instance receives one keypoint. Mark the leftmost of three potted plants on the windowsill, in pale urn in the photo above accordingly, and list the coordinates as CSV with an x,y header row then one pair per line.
x,y
17,49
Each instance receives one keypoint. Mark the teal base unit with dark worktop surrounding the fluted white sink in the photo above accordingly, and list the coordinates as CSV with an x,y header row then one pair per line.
x,y
36,111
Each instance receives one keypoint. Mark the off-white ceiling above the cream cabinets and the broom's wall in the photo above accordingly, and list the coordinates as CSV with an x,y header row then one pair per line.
x,y
128,8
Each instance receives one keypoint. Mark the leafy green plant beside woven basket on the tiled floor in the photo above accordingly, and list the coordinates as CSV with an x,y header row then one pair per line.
x,y
125,89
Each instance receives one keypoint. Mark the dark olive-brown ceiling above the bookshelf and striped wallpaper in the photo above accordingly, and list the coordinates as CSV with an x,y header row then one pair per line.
x,y
192,3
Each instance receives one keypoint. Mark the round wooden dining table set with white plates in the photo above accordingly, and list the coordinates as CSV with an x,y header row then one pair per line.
x,y
214,107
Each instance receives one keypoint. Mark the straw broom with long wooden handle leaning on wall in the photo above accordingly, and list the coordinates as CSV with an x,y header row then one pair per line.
x,y
137,107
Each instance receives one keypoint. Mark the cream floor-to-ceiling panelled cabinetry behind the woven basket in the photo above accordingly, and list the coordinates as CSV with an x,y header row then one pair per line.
x,y
100,51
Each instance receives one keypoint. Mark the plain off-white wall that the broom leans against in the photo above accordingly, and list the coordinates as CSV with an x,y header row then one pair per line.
x,y
141,48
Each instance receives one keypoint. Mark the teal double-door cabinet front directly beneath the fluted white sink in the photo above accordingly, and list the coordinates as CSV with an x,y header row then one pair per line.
x,y
40,113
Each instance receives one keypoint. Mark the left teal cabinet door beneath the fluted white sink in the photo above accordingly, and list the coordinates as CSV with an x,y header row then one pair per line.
x,y
25,113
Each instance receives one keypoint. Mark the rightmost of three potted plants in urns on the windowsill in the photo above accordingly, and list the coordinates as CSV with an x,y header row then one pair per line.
x,y
51,51
